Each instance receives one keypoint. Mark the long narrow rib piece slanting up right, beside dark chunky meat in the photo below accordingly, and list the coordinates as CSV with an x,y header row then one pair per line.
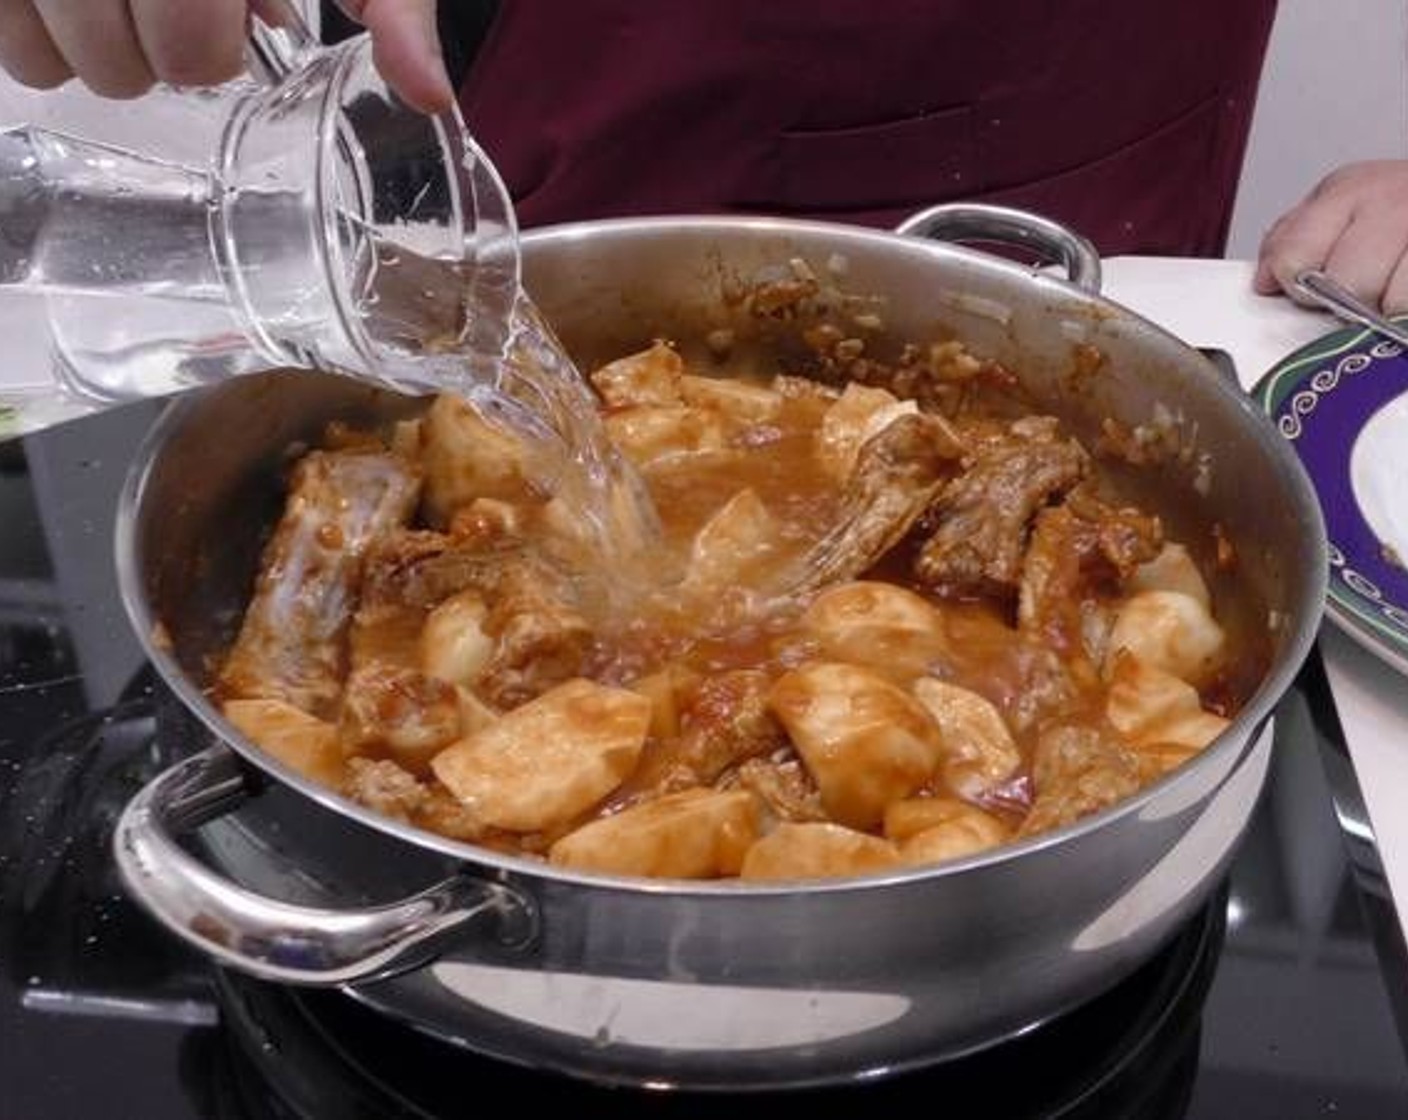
x,y
898,474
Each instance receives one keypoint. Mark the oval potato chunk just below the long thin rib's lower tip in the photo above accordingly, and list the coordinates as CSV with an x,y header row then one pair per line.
x,y
881,626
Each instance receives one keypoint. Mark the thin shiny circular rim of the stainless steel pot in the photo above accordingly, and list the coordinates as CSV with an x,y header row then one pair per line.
x,y
1240,738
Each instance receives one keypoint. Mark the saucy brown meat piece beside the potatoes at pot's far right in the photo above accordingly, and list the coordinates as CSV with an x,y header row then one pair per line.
x,y
1081,553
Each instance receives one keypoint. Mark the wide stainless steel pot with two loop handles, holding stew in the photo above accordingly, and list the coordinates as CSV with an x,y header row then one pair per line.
x,y
703,984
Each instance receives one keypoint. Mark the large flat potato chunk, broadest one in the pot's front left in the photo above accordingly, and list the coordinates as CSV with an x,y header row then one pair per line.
x,y
541,766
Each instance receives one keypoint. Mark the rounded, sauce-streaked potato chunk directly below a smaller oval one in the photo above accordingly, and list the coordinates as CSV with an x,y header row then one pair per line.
x,y
867,742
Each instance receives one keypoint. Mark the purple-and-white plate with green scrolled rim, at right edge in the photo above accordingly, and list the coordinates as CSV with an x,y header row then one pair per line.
x,y
1343,401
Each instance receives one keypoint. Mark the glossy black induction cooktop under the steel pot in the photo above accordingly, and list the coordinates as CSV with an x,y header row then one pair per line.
x,y
1285,998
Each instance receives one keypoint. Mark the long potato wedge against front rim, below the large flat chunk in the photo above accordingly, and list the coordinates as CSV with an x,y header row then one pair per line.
x,y
692,835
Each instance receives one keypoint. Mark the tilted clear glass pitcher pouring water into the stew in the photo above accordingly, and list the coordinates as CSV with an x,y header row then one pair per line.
x,y
330,226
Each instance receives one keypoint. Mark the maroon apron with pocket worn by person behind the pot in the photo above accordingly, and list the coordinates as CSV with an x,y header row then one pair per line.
x,y
1129,122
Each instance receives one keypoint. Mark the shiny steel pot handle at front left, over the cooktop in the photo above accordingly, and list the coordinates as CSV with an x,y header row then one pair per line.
x,y
277,940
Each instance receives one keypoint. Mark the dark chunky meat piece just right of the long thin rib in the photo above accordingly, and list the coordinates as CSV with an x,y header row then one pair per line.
x,y
983,515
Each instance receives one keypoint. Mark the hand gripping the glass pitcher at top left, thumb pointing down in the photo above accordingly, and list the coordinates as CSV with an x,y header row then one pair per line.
x,y
120,49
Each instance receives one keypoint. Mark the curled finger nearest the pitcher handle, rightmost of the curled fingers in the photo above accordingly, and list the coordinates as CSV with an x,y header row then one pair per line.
x,y
191,44
